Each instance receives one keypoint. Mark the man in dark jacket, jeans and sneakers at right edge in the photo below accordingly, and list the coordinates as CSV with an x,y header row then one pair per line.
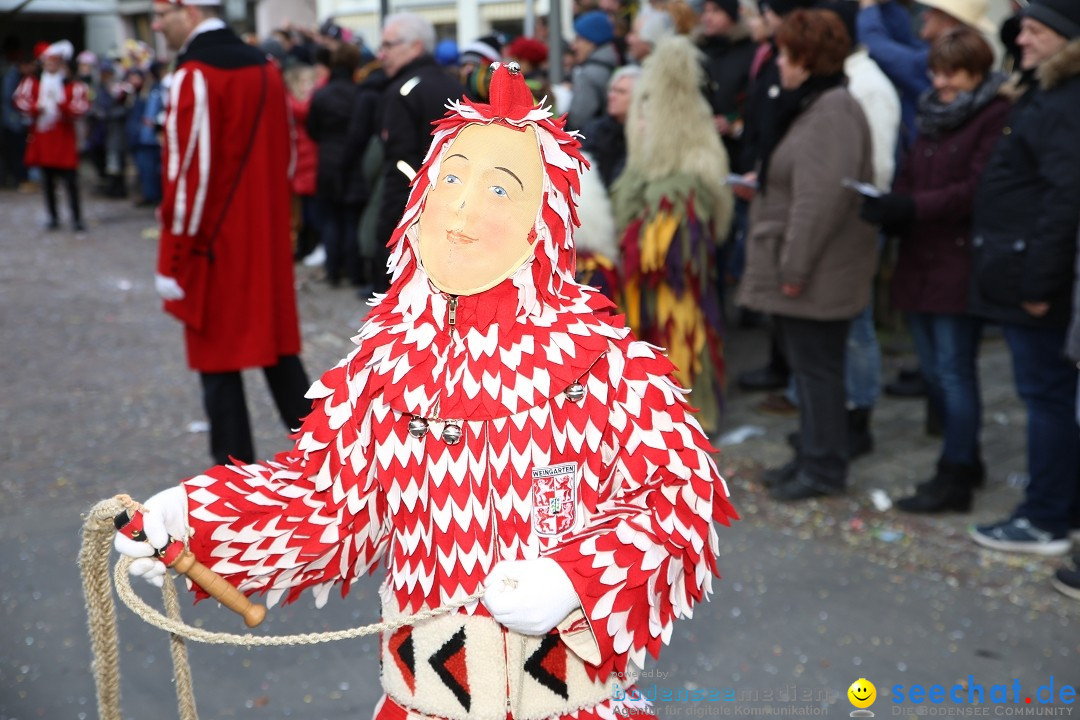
x,y
1025,242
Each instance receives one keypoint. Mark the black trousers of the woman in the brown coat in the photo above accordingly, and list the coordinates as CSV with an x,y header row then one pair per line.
x,y
816,352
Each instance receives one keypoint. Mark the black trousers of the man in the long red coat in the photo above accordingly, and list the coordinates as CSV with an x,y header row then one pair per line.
x,y
231,428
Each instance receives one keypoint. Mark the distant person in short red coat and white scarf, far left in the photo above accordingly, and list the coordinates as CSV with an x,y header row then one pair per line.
x,y
55,102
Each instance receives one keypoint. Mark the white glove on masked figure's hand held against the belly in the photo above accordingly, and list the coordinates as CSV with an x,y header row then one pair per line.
x,y
530,596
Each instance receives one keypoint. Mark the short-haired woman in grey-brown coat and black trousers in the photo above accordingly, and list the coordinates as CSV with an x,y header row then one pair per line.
x,y
811,259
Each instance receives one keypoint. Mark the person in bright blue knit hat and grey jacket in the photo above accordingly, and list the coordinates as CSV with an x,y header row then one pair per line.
x,y
596,60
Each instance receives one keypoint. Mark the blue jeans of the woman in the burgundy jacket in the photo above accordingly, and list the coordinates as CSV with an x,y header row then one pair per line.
x,y
949,349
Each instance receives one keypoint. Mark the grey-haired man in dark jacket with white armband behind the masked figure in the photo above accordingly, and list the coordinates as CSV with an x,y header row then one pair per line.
x,y
416,97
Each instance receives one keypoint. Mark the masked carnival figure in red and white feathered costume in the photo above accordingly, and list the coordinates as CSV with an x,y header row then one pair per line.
x,y
496,428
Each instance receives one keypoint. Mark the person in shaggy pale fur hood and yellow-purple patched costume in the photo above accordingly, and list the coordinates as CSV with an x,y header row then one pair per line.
x,y
674,211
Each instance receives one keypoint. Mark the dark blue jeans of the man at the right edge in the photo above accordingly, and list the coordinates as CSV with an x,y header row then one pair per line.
x,y
1047,383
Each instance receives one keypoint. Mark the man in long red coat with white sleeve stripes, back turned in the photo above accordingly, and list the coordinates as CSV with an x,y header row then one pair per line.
x,y
225,265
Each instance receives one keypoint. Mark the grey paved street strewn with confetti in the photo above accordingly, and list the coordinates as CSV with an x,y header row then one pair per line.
x,y
98,400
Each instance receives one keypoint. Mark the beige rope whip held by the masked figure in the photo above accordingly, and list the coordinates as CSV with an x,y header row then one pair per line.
x,y
98,533
